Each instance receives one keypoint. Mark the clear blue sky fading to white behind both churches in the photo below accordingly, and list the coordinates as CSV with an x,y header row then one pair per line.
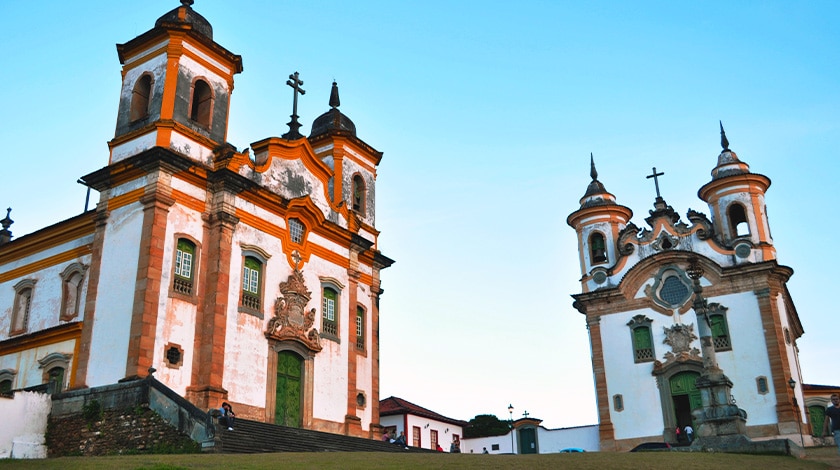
x,y
486,112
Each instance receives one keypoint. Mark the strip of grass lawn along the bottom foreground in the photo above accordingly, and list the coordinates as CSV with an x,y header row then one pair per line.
x,y
823,458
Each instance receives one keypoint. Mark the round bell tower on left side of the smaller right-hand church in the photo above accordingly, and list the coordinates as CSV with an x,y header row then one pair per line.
x,y
598,224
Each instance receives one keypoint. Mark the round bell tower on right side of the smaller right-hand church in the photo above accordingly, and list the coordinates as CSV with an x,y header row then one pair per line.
x,y
736,201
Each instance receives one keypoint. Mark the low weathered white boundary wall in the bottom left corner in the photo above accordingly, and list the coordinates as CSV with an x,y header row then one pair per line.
x,y
24,425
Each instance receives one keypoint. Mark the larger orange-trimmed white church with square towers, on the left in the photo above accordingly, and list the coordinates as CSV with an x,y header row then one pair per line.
x,y
251,277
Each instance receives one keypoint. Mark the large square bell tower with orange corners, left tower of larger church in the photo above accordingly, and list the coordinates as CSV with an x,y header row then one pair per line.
x,y
176,87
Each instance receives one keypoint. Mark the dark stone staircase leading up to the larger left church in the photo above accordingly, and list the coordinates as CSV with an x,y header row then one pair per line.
x,y
251,437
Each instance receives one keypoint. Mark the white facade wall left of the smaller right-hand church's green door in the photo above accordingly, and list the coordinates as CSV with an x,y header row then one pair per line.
x,y
642,415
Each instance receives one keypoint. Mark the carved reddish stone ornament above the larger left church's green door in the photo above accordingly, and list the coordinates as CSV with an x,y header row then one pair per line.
x,y
291,321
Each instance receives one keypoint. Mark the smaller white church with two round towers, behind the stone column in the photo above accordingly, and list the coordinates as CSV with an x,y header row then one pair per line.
x,y
637,291
